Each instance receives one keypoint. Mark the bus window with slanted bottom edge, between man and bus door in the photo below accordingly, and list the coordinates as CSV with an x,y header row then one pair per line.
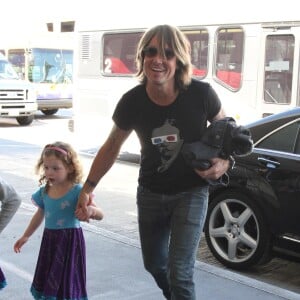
x,y
229,56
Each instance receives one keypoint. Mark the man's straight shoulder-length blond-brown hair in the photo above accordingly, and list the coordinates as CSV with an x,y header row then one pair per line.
x,y
172,37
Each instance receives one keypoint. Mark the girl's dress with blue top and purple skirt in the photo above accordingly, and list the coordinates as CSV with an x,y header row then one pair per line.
x,y
60,272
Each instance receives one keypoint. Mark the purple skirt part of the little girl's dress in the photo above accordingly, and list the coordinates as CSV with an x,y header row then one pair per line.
x,y
60,272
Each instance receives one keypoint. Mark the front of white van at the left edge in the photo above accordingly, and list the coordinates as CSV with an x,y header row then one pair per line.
x,y
17,96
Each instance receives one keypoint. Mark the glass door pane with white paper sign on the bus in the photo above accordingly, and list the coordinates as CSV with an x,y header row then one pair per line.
x,y
278,68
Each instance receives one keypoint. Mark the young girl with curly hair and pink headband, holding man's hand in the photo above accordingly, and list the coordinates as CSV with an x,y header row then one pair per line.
x,y
61,266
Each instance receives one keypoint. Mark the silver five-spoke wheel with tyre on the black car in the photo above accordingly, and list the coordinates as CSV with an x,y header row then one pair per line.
x,y
236,232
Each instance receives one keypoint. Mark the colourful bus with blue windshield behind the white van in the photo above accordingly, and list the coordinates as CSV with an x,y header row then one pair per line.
x,y
46,60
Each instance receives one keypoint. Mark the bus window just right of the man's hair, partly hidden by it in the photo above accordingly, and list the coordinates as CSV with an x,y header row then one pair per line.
x,y
199,51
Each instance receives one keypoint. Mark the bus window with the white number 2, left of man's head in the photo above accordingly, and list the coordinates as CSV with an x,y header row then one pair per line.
x,y
119,52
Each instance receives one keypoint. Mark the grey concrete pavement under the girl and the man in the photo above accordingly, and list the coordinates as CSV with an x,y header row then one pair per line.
x,y
115,270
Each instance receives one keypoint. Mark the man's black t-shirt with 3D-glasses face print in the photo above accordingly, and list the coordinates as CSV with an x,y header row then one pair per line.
x,y
163,129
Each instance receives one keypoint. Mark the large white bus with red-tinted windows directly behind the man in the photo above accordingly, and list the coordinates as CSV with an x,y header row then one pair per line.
x,y
251,60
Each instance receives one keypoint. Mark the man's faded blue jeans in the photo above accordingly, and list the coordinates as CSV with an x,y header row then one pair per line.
x,y
170,229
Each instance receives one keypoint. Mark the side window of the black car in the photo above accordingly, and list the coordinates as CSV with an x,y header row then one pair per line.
x,y
286,139
